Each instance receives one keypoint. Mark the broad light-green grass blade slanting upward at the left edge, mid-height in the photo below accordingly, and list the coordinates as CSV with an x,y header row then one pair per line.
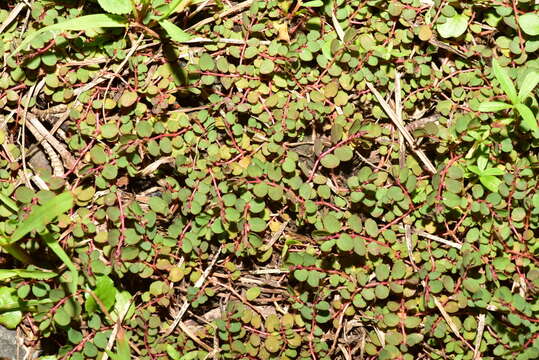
x,y
43,215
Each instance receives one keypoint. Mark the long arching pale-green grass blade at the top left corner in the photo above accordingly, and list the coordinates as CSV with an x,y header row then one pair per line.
x,y
77,24
